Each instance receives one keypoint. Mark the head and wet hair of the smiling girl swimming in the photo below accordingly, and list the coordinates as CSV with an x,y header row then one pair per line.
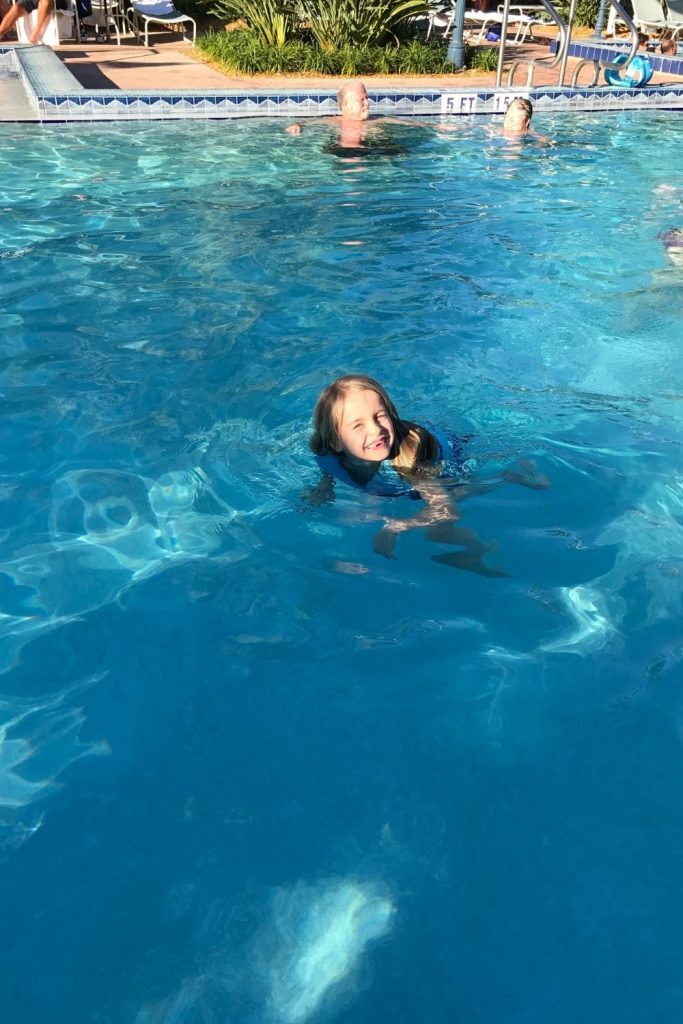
x,y
356,419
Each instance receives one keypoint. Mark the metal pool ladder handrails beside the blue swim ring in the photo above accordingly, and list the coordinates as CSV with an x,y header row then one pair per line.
x,y
563,53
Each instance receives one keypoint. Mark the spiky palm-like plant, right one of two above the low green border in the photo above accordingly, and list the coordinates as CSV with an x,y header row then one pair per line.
x,y
334,24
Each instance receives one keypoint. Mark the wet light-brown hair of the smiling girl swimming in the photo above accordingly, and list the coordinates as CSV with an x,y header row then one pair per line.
x,y
414,446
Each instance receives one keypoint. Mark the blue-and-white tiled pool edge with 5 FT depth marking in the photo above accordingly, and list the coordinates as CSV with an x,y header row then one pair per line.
x,y
56,96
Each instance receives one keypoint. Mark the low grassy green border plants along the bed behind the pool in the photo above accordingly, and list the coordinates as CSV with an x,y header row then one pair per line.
x,y
245,53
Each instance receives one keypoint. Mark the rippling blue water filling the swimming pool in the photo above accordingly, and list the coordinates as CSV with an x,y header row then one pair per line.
x,y
251,772
